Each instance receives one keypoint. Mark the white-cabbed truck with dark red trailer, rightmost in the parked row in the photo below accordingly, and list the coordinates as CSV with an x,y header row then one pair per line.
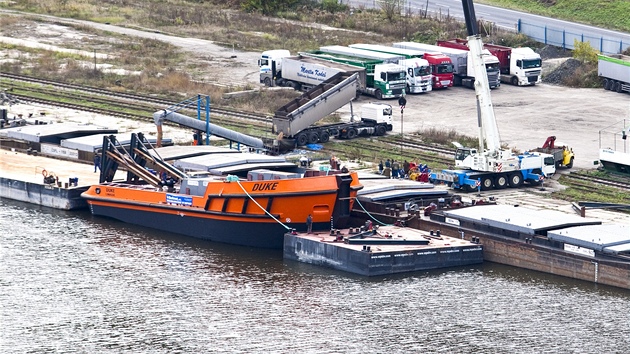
x,y
517,66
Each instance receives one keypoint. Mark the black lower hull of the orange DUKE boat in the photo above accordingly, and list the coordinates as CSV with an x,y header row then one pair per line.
x,y
260,234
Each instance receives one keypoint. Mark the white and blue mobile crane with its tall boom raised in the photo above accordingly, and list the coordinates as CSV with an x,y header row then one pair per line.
x,y
490,166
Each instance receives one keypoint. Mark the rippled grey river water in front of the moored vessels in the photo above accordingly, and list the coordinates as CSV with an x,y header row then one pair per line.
x,y
74,283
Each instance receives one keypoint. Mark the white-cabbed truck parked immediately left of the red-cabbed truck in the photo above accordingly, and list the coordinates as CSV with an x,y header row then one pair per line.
x,y
419,78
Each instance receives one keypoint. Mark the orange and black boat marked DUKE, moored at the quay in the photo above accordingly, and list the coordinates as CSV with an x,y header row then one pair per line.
x,y
255,209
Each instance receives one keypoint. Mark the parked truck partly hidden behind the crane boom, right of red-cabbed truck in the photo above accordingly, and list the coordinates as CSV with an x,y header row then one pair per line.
x,y
462,75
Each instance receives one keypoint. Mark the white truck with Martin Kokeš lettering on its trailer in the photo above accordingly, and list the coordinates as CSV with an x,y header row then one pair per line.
x,y
279,68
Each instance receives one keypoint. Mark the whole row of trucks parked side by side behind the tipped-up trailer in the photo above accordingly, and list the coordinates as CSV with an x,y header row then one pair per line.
x,y
424,66
